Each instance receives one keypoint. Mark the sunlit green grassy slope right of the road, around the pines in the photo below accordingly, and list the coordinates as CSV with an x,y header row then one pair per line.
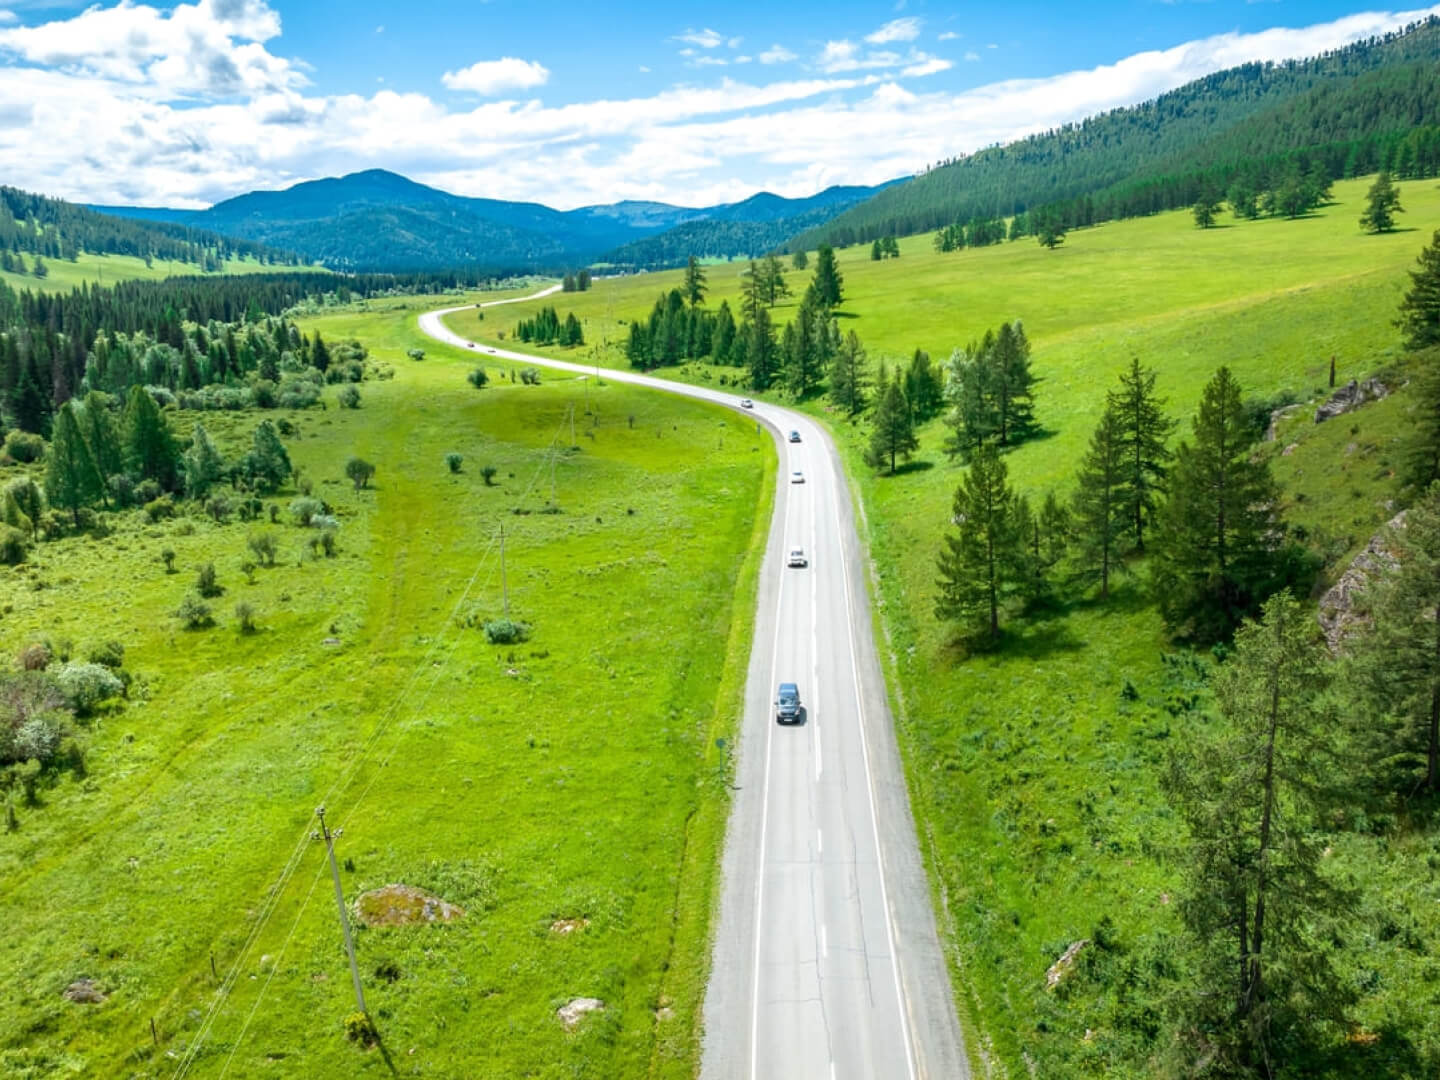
x,y
1036,784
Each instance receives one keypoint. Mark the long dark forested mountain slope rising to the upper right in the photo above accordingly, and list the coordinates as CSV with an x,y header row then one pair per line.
x,y
1184,129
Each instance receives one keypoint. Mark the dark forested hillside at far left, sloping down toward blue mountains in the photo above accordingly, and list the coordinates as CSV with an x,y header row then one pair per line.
x,y
54,230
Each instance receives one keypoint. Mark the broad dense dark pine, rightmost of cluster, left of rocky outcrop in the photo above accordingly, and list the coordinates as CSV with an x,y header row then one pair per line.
x,y
1218,532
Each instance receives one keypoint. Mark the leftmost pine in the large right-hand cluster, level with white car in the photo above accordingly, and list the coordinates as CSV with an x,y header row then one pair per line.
x,y
983,564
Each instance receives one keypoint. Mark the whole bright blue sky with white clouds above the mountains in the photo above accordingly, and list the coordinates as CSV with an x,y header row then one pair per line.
x,y
574,104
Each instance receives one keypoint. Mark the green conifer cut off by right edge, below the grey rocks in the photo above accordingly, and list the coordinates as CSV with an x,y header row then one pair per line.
x,y
1396,666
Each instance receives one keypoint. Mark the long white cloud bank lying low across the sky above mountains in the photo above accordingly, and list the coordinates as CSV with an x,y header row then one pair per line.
x,y
117,120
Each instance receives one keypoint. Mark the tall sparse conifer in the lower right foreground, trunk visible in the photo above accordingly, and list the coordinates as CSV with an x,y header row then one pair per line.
x,y
1261,912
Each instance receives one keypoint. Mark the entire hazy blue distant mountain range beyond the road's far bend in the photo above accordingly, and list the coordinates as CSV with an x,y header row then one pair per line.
x,y
381,221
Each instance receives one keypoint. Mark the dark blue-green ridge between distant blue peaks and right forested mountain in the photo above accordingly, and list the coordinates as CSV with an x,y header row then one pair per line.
x,y
755,227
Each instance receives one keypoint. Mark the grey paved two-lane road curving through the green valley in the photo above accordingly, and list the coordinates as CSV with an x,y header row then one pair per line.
x,y
827,963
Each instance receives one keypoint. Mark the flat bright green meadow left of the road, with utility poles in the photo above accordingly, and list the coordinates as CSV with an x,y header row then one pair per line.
x,y
578,773
